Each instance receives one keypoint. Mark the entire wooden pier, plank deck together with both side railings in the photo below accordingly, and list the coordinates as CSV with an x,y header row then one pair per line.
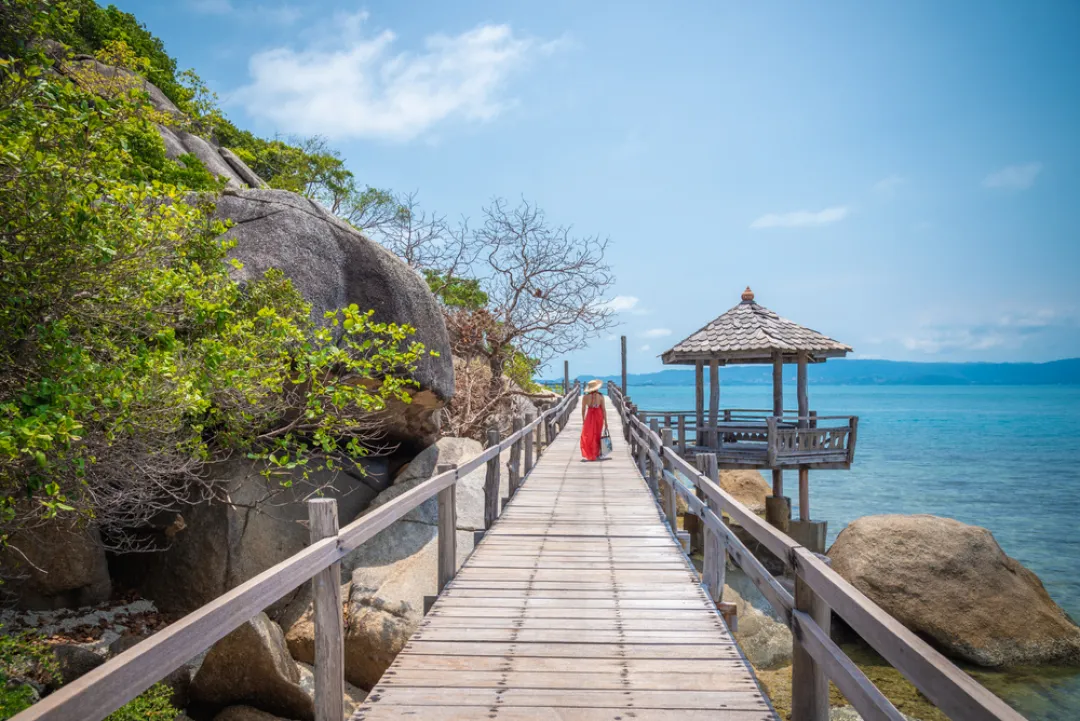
x,y
577,605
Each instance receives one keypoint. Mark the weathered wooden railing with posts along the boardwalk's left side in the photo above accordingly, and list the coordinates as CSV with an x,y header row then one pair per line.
x,y
104,690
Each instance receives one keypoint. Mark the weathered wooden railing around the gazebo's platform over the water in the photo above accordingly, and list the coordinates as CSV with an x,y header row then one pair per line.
x,y
748,437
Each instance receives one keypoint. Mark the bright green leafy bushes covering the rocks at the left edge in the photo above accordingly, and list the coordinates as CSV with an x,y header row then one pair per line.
x,y
126,344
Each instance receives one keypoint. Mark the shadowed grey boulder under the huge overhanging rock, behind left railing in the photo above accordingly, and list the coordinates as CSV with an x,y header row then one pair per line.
x,y
219,547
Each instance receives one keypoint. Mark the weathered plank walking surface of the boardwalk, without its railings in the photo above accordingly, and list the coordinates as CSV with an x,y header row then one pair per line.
x,y
578,605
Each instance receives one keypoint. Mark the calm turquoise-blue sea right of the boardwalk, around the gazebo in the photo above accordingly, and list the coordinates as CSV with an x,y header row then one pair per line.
x,y
1005,458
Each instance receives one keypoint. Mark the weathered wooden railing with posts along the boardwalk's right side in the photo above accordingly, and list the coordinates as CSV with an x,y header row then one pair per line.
x,y
819,592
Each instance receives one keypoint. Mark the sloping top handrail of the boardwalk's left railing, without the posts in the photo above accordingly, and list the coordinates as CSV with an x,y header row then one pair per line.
x,y
102,691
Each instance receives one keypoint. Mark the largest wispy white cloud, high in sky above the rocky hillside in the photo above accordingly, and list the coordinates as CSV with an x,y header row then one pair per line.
x,y
347,83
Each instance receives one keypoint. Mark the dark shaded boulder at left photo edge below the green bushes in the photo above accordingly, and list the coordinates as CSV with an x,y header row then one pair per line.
x,y
56,566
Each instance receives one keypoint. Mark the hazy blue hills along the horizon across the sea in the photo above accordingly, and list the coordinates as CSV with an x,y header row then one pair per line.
x,y
886,373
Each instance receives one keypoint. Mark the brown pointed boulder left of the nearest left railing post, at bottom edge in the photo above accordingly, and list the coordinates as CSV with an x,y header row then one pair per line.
x,y
252,666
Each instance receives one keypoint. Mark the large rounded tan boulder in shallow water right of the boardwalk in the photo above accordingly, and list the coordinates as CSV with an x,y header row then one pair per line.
x,y
953,584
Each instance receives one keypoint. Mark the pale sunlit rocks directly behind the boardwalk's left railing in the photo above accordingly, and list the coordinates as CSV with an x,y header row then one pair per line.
x,y
391,574
